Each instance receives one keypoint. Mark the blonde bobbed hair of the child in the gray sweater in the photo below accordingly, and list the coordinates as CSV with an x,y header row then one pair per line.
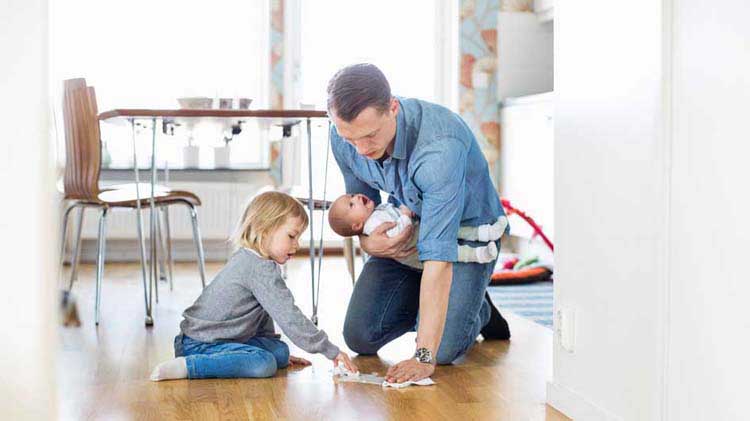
x,y
265,214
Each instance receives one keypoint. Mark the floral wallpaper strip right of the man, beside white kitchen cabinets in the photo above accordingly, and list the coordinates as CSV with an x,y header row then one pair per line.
x,y
478,73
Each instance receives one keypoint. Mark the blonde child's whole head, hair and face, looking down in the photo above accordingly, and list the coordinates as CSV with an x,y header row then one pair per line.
x,y
271,225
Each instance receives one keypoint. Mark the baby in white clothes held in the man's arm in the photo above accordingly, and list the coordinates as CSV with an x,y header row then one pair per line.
x,y
355,214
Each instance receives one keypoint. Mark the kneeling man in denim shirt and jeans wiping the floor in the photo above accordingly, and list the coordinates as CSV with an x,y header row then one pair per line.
x,y
428,160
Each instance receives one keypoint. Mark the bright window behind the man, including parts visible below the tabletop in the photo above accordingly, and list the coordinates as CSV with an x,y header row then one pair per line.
x,y
413,42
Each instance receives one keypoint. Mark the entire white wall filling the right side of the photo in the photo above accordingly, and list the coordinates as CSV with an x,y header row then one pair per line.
x,y
651,188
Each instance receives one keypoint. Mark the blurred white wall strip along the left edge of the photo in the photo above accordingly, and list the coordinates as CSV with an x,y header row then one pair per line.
x,y
28,216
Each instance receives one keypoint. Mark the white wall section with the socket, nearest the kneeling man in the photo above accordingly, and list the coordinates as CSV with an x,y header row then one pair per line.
x,y
610,207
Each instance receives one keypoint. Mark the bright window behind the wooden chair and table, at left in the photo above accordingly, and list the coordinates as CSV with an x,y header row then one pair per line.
x,y
146,54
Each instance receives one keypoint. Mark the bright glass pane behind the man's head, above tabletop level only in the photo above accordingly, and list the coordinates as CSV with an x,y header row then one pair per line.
x,y
397,36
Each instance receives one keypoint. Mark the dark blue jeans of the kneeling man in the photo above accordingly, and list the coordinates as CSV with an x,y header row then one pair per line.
x,y
385,305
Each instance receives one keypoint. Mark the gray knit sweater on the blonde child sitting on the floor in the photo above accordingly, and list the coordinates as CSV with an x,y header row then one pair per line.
x,y
244,300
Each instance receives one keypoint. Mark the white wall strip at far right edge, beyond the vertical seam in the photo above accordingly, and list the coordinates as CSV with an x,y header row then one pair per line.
x,y
709,338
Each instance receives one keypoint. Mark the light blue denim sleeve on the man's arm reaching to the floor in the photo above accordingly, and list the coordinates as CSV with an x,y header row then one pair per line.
x,y
441,177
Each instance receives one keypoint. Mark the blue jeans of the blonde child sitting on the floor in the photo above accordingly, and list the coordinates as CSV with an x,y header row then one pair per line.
x,y
258,357
